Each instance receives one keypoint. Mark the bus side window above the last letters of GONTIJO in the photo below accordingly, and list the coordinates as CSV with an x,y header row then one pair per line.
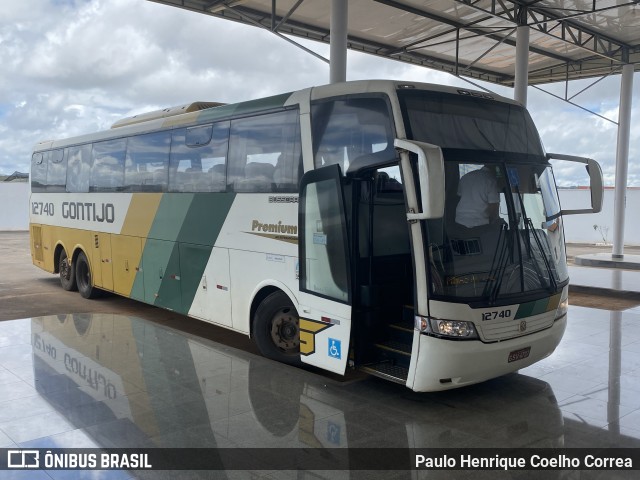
x,y
107,171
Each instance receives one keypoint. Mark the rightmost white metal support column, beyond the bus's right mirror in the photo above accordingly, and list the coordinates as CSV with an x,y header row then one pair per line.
x,y
622,160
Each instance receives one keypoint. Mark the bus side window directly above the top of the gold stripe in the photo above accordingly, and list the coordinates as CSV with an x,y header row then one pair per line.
x,y
147,161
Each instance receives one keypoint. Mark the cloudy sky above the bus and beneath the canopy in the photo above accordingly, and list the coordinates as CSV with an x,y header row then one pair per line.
x,y
72,67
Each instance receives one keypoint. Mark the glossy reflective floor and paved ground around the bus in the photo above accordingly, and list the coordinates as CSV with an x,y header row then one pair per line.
x,y
175,382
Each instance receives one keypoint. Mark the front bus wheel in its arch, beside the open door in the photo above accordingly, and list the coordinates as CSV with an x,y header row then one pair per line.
x,y
276,329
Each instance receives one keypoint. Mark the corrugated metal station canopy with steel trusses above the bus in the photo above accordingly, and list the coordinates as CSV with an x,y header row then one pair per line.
x,y
472,38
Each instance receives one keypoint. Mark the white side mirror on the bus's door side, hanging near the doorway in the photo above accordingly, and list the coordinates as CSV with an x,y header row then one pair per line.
x,y
431,177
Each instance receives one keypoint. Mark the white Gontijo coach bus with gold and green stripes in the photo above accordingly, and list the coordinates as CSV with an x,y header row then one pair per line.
x,y
327,224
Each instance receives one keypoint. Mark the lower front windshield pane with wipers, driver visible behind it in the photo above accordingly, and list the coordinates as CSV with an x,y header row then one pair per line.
x,y
520,250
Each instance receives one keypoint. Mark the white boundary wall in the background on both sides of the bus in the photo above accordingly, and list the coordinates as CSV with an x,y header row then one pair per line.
x,y
14,214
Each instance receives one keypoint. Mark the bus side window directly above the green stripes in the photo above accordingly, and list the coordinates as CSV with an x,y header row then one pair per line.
x,y
198,158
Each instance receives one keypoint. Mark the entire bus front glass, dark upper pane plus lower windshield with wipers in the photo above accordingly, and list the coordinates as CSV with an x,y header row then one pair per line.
x,y
501,235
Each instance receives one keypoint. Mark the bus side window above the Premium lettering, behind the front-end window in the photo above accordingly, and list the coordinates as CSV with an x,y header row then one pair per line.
x,y
264,153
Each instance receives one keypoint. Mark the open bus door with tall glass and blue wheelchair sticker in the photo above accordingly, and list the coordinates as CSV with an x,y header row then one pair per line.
x,y
325,276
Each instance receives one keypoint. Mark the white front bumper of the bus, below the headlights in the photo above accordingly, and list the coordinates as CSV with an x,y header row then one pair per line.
x,y
446,364
